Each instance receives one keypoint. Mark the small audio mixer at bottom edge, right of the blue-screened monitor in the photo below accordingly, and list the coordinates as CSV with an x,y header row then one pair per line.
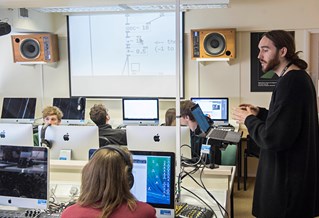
x,y
192,211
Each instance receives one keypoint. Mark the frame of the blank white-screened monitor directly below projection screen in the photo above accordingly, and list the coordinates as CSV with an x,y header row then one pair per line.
x,y
128,120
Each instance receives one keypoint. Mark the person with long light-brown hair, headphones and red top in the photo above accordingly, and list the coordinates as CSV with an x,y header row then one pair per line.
x,y
105,188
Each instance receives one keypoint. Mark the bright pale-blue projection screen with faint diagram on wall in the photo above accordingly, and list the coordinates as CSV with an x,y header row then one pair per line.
x,y
123,44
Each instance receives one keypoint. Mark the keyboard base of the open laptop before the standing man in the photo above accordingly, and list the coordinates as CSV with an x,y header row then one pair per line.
x,y
225,135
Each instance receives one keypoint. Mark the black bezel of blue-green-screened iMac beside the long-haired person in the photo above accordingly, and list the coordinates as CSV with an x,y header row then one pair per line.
x,y
172,175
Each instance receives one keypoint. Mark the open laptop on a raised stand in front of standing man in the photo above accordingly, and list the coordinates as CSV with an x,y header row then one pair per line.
x,y
210,131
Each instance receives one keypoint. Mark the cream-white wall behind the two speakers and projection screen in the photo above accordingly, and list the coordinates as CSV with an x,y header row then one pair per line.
x,y
230,79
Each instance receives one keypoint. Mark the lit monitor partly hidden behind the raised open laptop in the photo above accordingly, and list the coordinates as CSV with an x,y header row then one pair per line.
x,y
215,108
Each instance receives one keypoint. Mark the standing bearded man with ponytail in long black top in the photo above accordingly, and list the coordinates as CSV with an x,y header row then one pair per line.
x,y
287,180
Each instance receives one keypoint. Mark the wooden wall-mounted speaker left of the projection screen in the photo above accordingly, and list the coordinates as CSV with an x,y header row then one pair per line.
x,y
35,48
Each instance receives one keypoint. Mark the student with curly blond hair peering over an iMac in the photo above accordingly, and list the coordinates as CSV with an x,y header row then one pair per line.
x,y
51,115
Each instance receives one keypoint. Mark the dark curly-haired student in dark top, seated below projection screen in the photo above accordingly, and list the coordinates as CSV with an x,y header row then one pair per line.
x,y
99,115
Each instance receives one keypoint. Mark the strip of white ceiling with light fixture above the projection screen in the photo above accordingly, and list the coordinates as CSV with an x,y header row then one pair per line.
x,y
110,5
